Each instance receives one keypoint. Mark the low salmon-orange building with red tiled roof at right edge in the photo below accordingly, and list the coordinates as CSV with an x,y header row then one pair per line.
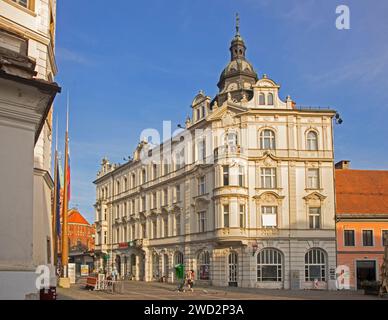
x,y
362,221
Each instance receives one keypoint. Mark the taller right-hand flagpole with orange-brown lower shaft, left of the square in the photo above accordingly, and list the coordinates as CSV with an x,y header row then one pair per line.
x,y
65,281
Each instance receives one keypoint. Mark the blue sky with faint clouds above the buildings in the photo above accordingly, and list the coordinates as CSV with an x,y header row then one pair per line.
x,y
129,65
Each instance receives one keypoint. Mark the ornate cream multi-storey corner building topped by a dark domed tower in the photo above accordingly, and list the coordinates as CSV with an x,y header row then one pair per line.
x,y
244,195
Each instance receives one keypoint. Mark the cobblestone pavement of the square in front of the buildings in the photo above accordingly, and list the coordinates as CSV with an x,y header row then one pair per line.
x,y
137,290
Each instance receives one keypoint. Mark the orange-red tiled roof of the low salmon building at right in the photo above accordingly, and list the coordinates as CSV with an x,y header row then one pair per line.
x,y
361,191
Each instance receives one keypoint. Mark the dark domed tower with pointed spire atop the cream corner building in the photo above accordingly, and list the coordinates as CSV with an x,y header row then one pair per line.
x,y
238,76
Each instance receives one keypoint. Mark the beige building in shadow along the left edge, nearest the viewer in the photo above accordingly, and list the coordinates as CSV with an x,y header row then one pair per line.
x,y
27,91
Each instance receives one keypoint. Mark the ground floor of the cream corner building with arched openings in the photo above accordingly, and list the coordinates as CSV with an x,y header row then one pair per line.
x,y
274,264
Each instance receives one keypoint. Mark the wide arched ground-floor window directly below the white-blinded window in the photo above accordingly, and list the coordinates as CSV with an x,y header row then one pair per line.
x,y
269,265
